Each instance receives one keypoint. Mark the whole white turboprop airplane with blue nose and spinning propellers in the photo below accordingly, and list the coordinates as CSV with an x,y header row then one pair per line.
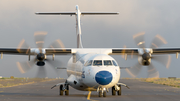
x,y
91,69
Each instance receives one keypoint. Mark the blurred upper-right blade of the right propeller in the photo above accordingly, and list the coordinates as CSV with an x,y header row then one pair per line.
x,y
158,41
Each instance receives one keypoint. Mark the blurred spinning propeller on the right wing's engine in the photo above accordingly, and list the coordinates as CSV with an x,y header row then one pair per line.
x,y
145,56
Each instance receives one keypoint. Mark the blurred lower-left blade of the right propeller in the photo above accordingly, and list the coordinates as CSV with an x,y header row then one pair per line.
x,y
134,71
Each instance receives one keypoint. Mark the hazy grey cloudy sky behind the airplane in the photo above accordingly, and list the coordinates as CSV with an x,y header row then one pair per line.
x,y
18,21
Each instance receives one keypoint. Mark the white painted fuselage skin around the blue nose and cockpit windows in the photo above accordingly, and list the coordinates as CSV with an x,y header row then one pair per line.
x,y
76,70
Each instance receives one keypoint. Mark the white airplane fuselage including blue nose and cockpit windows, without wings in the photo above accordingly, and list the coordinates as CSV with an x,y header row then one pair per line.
x,y
86,74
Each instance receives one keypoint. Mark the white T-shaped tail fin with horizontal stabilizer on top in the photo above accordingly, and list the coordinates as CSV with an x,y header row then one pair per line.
x,y
78,14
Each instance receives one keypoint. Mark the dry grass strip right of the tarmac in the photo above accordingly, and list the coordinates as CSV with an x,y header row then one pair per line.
x,y
163,81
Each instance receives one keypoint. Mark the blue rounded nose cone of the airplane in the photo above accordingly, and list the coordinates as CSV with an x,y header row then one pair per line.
x,y
103,77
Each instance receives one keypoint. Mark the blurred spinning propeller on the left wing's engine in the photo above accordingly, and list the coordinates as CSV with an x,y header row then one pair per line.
x,y
40,55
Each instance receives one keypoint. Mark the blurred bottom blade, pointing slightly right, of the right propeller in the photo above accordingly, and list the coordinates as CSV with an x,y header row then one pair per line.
x,y
152,72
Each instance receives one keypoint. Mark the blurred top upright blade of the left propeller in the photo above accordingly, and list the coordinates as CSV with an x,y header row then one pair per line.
x,y
39,39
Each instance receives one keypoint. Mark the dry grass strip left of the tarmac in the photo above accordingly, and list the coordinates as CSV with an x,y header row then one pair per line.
x,y
8,82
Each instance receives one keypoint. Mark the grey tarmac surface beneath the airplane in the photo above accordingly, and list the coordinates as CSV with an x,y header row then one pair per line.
x,y
139,91
